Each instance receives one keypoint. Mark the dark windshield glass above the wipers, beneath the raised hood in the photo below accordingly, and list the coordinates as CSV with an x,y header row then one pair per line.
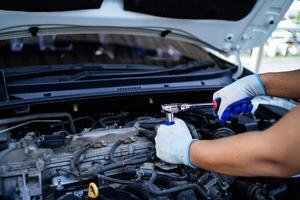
x,y
97,48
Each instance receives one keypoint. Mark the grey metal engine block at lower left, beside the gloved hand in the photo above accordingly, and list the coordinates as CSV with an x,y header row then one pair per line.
x,y
25,166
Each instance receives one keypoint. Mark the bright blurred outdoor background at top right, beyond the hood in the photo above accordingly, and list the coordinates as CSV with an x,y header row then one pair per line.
x,y
282,51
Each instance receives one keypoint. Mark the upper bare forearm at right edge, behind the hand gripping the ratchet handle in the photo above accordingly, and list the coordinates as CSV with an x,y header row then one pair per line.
x,y
282,84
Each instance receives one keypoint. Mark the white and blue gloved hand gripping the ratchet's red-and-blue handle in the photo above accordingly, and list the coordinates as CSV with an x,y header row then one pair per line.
x,y
236,98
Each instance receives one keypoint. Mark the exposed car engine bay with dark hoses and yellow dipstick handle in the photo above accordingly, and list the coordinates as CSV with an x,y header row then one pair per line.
x,y
112,156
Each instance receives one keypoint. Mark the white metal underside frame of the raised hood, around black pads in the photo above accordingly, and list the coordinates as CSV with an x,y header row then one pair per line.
x,y
225,36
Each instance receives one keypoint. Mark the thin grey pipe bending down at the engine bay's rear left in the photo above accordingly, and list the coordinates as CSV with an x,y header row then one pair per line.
x,y
40,116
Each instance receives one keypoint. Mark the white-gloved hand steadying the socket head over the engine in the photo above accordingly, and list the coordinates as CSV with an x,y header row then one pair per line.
x,y
173,143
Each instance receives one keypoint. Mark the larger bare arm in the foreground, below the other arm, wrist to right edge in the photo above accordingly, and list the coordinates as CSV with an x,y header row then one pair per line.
x,y
274,152
